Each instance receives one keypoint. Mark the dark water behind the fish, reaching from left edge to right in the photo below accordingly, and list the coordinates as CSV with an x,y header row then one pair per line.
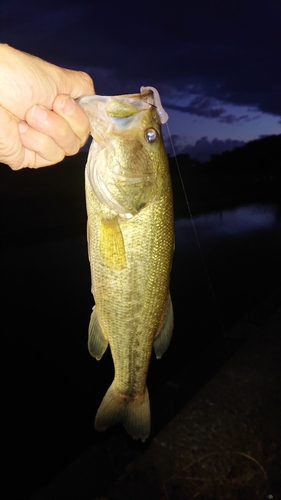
x,y
53,387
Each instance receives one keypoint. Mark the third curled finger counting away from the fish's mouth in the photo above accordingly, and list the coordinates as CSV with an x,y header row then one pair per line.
x,y
40,149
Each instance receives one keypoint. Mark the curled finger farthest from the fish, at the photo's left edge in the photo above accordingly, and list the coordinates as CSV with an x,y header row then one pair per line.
x,y
11,149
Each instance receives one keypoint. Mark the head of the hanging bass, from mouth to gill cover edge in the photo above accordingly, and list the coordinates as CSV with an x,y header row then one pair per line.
x,y
126,152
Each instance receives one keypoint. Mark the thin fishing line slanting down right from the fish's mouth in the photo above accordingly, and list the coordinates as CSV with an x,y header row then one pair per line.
x,y
196,236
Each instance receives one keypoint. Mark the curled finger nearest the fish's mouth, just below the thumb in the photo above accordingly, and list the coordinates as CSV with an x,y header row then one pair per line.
x,y
66,107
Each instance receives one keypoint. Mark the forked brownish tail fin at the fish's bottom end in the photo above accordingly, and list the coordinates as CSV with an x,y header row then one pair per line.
x,y
134,414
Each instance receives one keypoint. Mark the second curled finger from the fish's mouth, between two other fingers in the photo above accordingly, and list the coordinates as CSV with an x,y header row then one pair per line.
x,y
55,127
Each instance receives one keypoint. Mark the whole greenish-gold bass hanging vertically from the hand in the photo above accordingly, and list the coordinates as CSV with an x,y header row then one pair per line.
x,y
130,233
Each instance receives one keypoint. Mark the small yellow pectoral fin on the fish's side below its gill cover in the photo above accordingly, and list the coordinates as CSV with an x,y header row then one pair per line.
x,y
112,246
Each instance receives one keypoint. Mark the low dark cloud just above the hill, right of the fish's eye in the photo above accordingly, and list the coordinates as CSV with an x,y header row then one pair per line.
x,y
203,148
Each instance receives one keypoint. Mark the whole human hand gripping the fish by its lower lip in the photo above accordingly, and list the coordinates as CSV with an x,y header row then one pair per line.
x,y
40,122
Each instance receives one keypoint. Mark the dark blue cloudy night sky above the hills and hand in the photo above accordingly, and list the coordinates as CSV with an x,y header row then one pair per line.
x,y
216,63
